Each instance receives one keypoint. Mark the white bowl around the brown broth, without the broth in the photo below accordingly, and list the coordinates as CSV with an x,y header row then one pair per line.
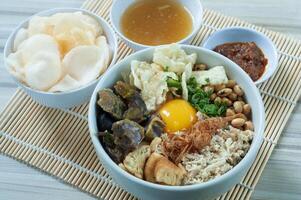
x,y
119,6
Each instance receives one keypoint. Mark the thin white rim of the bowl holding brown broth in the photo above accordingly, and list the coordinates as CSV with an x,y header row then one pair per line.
x,y
143,46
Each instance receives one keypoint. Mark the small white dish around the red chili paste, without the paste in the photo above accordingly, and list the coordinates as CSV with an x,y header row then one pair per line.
x,y
239,34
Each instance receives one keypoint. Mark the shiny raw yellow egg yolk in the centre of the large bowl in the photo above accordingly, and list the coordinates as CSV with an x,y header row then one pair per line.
x,y
177,115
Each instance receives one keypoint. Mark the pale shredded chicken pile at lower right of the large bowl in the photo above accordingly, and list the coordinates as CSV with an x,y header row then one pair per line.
x,y
226,149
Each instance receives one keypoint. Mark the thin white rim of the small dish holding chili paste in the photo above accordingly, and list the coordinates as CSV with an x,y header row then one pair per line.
x,y
272,69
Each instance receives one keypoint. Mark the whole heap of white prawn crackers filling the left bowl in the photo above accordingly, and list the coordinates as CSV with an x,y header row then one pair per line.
x,y
60,52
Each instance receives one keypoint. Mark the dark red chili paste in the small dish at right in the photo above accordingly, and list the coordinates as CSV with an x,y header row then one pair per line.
x,y
247,55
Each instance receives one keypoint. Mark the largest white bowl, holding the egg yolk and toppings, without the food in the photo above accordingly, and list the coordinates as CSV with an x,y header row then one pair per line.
x,y
208,190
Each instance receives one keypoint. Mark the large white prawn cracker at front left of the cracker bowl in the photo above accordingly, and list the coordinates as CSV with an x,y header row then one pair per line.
x,y
37,62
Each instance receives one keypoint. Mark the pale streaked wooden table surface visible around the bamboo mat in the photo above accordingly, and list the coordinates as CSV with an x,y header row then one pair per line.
x,y
281,178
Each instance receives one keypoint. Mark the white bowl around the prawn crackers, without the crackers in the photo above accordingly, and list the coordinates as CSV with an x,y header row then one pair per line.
x,y
69,98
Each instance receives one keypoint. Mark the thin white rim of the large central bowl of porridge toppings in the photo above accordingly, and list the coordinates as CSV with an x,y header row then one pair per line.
x,y
250,156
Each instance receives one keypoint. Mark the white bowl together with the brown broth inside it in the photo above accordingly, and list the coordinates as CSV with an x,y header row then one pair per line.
x,y
145,23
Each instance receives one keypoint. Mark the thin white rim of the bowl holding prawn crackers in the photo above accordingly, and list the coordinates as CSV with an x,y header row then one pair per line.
x,y
49,12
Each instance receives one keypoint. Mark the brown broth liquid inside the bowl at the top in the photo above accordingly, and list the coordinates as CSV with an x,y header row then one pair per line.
x,y
156,22
